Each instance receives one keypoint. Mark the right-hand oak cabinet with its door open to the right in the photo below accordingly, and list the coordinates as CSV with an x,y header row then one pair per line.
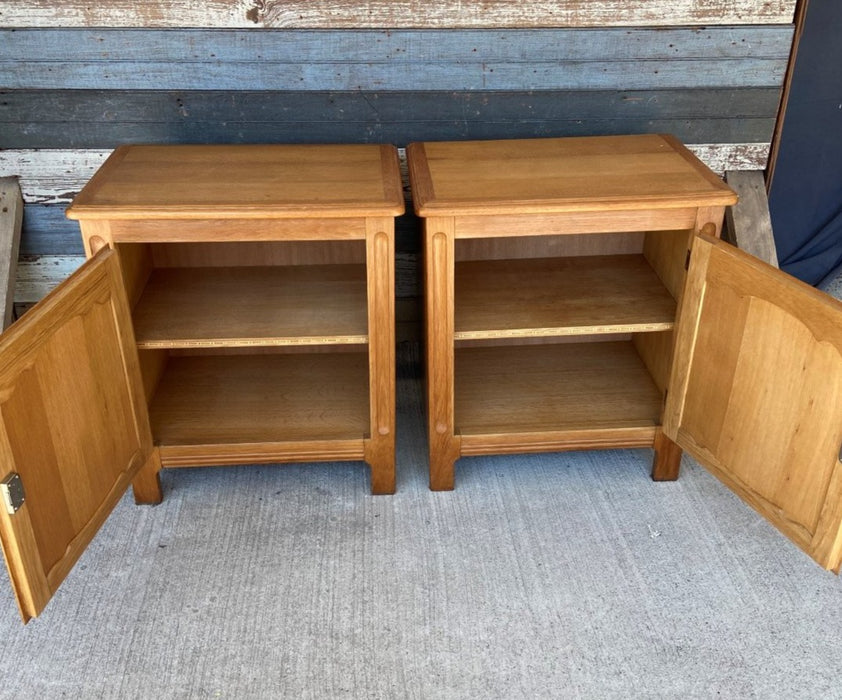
x,y
577,297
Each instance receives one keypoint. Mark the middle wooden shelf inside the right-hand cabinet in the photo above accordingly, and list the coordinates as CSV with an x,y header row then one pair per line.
x,y
560,296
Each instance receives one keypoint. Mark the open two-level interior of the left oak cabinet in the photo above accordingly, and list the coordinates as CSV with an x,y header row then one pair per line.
x,y
251,342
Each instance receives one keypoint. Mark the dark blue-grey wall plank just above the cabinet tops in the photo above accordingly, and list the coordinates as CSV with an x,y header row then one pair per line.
x,y
100,119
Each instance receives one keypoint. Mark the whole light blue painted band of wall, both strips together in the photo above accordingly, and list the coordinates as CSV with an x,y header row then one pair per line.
x,y
529,60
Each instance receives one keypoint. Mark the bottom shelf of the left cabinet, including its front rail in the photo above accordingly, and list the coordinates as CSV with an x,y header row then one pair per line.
x,y
228,409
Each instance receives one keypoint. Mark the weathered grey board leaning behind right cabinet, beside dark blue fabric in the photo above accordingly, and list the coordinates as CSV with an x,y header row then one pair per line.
x,y
748,224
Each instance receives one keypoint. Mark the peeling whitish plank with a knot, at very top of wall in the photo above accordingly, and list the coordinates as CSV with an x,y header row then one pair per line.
x,y
335,14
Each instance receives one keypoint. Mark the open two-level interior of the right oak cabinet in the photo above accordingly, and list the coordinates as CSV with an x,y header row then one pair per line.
x,y
565,333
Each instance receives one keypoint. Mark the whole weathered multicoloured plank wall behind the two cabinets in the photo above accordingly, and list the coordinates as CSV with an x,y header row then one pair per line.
x,y
77,79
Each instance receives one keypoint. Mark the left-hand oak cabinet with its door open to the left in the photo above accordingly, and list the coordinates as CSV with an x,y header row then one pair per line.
x,y
237,307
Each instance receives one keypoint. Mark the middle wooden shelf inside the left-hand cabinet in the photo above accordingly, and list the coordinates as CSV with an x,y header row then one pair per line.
x,y
248,306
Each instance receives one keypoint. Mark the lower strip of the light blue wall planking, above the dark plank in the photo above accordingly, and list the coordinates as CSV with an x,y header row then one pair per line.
x,y
563,75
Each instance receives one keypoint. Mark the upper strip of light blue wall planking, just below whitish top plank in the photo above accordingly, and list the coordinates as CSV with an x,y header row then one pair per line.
x,y
403,46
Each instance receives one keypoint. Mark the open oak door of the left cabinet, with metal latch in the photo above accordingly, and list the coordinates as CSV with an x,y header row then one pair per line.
x,y
74,428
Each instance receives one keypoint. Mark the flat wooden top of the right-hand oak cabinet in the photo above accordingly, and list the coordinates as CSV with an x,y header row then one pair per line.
x,y
533,176
